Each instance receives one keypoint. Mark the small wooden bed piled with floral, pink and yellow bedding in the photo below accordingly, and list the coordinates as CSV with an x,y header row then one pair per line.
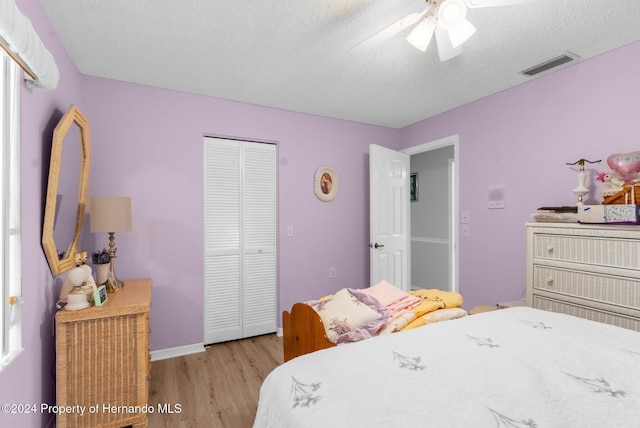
x,y
380,309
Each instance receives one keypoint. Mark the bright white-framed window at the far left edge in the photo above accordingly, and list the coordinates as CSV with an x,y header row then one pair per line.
x,y
10,275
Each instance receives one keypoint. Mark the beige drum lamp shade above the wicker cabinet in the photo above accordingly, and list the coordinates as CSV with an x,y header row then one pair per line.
x,y
110,213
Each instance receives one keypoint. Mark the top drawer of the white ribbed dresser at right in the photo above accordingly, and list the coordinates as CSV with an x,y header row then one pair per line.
x,y
601,251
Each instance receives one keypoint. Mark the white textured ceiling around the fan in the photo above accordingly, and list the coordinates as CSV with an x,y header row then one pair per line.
x,y
297,55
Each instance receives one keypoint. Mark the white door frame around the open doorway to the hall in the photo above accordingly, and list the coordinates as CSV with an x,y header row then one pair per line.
x,y
451,140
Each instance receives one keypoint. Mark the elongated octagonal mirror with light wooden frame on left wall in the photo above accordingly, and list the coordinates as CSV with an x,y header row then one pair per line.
x,y
67,190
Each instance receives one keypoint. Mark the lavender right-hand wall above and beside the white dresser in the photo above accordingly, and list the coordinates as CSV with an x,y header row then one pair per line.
x,y
522,138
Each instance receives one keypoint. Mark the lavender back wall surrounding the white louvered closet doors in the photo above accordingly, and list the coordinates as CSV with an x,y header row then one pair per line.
x,y
148,143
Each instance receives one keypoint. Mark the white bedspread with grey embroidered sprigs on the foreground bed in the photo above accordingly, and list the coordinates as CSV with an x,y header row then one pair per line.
x,y
517,367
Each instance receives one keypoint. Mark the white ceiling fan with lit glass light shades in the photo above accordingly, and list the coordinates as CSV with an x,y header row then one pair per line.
x,y
444,18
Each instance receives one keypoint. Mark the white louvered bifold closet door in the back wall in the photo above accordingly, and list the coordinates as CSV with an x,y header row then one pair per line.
x,y
240,239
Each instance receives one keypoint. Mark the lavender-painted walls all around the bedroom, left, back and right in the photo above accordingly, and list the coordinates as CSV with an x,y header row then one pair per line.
x,y
147,143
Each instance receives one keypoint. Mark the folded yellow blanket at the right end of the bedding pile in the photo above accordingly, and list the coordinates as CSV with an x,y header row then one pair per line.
x,y
432,300
